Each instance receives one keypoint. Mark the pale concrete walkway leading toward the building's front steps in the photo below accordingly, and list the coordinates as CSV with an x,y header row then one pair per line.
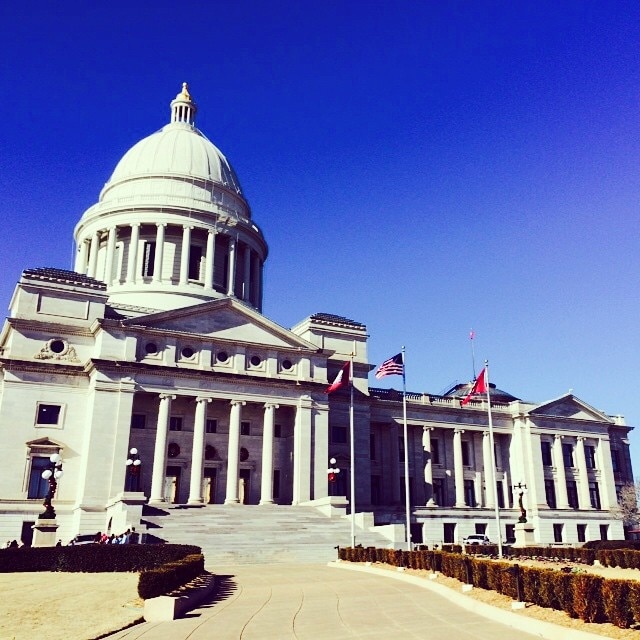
x,y
277,602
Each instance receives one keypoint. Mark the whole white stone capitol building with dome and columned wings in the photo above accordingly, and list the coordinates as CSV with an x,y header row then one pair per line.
x,y
154,350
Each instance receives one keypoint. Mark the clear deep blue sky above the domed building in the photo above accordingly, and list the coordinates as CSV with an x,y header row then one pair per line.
x,y
422,167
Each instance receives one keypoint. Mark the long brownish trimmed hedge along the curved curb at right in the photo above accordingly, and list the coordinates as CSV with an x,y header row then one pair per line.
x,y
581,595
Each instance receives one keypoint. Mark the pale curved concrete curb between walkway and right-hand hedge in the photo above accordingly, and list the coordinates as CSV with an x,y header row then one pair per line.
x,y
545,630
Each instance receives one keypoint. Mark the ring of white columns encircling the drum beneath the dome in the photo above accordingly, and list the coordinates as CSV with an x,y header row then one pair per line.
x,y
242,279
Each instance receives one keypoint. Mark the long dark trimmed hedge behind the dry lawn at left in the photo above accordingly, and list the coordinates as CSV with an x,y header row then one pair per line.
x,y
92,558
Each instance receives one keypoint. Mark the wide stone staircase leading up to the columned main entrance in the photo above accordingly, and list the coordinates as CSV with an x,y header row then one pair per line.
x,y
255,534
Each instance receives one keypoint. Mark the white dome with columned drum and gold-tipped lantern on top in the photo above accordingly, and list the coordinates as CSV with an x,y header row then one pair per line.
x,y
171,227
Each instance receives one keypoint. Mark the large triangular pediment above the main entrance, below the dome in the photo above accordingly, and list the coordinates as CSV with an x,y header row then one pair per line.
x,y
225,319
